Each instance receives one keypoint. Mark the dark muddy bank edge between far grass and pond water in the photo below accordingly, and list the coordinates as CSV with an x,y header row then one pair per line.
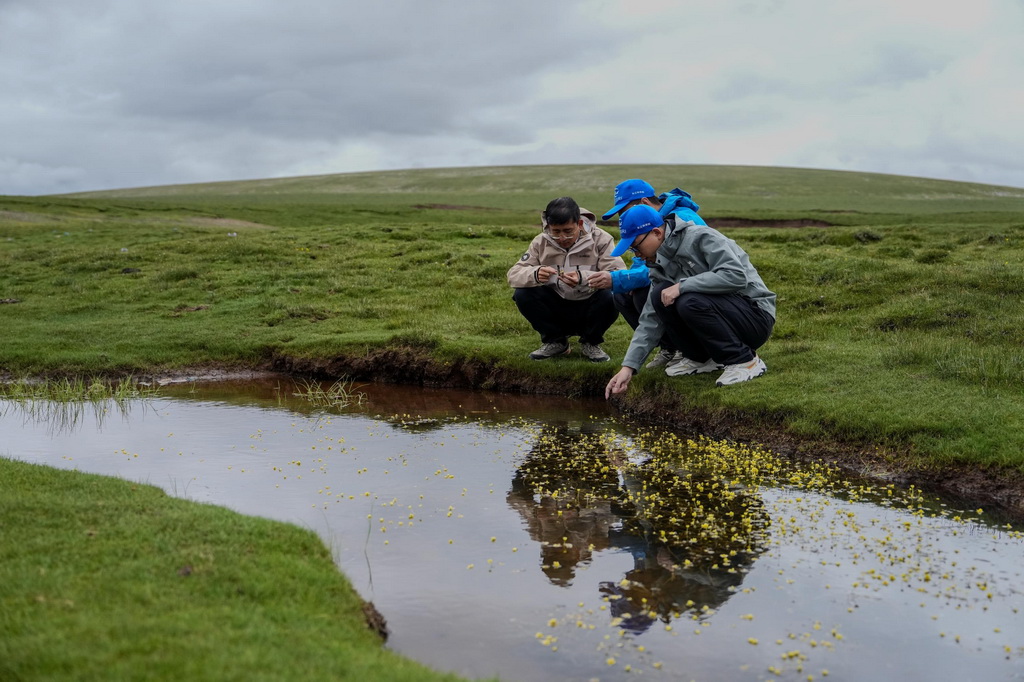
x,y
1000,492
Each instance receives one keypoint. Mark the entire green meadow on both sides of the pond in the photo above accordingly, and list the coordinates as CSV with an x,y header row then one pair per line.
x,y
901,329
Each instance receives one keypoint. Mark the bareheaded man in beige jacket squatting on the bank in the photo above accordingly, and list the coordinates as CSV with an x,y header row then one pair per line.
x,y
562,284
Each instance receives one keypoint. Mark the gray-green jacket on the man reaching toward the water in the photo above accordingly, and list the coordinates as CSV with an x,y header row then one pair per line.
x,y
701,260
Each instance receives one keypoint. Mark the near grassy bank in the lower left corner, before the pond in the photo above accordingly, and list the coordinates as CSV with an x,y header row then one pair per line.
x,y
107,580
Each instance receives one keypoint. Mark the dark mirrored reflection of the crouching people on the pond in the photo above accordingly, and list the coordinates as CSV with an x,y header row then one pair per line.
x,y
692,537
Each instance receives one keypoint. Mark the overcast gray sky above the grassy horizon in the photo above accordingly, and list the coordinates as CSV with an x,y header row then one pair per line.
x,y
100,95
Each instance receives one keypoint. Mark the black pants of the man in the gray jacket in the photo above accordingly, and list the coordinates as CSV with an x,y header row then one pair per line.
x,y
727,328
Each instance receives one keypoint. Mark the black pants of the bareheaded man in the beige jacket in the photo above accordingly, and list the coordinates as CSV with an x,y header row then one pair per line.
x,y
557,320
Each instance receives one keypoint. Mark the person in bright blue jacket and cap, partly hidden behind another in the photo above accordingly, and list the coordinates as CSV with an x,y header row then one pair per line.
x,y
632,287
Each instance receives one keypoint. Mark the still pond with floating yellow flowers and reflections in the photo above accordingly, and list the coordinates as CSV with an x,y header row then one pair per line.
x,y
537,538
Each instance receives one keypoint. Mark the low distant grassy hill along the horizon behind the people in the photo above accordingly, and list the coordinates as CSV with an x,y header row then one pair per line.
x,y
721,190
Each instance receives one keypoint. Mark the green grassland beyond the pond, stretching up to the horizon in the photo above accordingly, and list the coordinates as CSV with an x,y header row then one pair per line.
x,y
901,323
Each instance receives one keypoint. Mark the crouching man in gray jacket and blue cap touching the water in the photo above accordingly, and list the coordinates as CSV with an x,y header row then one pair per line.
x,y
706,295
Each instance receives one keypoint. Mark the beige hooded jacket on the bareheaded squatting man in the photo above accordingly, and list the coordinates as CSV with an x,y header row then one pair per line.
x,y
591,253
